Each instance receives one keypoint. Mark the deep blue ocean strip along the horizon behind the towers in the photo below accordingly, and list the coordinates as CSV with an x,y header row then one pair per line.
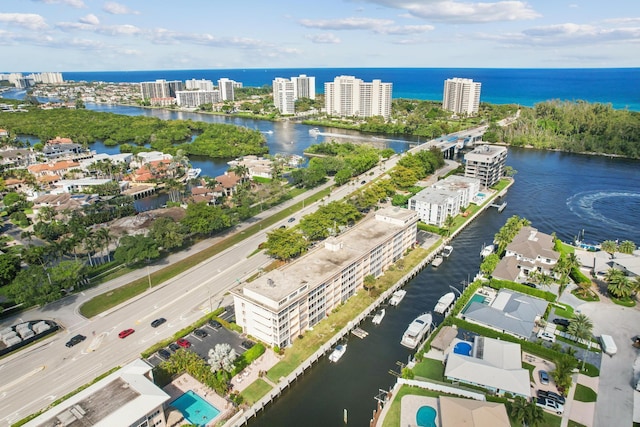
x,y
617,86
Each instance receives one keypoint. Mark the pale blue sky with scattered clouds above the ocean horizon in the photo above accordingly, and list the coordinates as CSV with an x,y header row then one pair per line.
x,y
88,35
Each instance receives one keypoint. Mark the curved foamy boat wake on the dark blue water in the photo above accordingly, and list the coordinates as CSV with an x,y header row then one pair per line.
x,y
584,205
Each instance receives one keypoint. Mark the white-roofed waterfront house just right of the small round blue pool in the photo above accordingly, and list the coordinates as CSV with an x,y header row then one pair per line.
x,y
493,364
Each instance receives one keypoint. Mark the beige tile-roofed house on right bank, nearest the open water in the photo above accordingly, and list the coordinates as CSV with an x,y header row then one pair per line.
x,y
529,251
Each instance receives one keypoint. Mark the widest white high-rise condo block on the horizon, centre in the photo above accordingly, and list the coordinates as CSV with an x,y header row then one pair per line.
x,y
349,96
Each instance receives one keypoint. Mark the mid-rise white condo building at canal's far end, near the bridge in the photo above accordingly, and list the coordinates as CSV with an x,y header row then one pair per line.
x,y
486,163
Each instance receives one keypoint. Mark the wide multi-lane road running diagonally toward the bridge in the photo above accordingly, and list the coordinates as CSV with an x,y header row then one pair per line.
x,y
34,377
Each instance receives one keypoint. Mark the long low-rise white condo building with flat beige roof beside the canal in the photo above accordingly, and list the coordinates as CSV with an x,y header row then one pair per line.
x,y
281,305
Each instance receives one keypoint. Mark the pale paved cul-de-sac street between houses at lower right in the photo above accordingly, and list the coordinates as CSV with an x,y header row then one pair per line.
x,y
615,392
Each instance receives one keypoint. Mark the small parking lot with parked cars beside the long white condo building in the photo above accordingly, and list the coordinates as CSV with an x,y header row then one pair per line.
x,y
211,334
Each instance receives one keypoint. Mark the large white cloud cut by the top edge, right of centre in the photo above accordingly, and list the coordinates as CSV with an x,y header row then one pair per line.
x,y
464,12
